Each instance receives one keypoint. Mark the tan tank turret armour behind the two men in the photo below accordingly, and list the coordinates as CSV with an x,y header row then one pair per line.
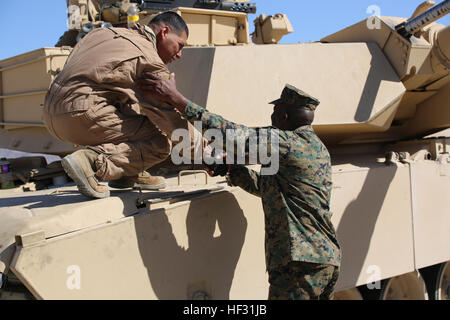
x,y
367,98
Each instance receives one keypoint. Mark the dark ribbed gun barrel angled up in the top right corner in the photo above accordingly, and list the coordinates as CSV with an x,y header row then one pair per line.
x,y
414,25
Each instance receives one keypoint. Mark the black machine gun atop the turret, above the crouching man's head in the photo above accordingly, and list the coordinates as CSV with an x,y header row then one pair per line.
x,y
163,5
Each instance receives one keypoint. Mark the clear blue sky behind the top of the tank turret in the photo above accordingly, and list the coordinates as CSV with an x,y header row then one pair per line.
x,y
31,24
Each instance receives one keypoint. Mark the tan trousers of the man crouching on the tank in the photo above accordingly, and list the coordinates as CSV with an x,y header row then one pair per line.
x,y
127,142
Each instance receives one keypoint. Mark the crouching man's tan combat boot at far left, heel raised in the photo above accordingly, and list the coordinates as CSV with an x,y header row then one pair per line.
x,y
80,167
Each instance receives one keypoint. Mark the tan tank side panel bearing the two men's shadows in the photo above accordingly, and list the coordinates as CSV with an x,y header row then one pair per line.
x,y
200,244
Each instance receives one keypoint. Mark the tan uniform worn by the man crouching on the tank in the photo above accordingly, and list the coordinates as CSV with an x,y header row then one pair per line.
x,y
94,102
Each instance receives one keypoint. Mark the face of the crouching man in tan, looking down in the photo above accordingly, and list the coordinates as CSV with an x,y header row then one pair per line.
x,y
170,45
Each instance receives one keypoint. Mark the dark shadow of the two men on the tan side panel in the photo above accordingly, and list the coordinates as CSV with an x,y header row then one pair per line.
x,y
201,260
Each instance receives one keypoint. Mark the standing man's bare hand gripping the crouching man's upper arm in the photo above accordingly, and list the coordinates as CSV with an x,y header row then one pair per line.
x,y
164,90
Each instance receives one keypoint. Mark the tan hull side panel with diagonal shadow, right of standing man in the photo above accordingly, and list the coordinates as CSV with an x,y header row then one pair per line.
x,y
371,205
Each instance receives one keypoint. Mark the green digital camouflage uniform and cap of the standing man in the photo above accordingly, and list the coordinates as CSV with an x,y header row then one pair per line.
x,y
296,201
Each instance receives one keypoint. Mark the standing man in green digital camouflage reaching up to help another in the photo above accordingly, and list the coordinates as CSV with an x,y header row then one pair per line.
x,y
302,251
